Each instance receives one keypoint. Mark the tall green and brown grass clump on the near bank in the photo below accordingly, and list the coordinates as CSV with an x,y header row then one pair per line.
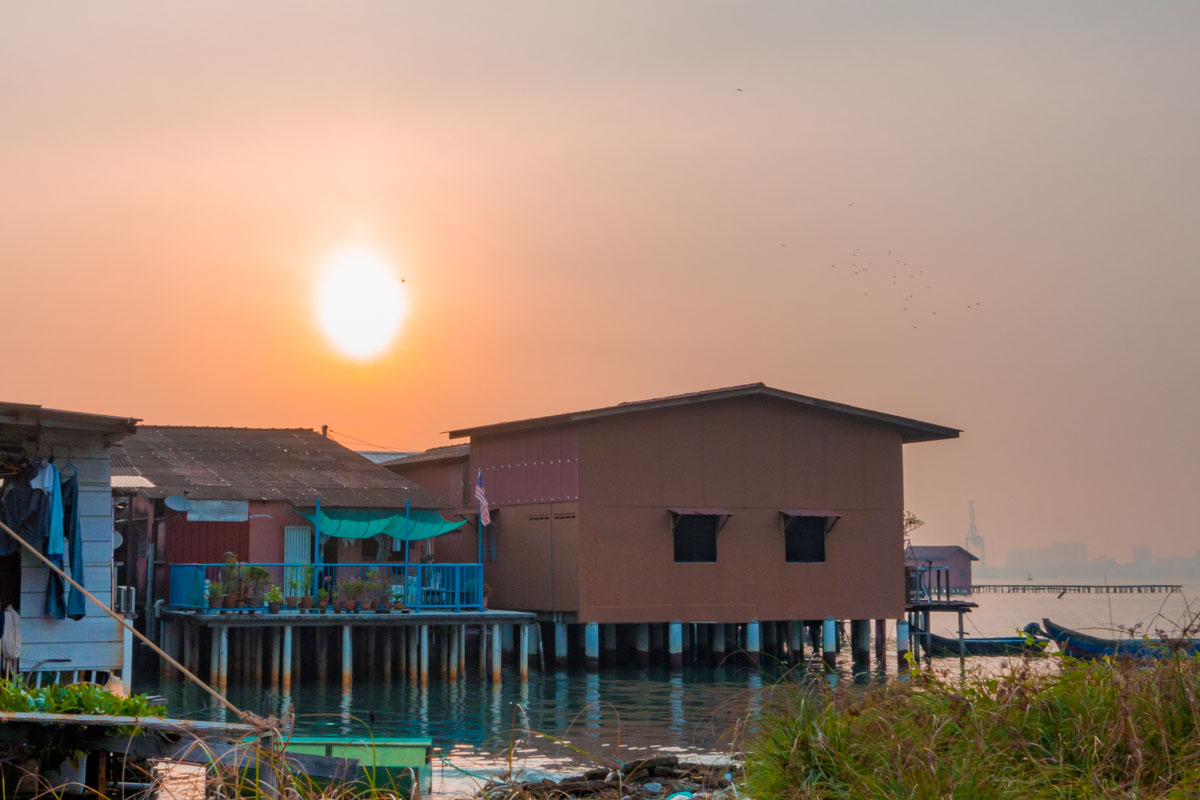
x,y
1100,730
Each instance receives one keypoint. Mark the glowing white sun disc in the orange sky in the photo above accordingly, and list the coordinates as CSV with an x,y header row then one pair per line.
x,y
361,304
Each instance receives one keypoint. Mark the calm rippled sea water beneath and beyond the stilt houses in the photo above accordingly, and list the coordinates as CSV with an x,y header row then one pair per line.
x,y
557,721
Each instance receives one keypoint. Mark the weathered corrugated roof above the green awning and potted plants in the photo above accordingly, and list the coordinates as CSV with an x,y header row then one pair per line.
x,y
292,465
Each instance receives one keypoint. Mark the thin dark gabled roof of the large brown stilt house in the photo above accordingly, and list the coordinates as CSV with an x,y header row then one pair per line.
x,y
913,430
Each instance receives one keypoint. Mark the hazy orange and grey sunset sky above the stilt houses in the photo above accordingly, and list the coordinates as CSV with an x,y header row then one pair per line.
x,y
975,214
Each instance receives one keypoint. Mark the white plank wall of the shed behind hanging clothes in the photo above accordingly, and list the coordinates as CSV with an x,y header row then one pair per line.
x,y
95,641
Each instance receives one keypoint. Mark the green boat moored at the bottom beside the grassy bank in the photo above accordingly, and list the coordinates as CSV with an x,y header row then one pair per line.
x,y
385,765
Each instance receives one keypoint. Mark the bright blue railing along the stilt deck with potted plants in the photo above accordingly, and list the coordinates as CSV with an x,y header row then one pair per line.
x,y
418,587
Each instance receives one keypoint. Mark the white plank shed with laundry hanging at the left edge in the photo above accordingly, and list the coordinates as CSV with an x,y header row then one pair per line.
x,y
80,446
